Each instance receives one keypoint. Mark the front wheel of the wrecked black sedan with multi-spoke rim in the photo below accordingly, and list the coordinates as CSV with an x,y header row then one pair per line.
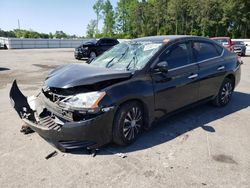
x,y
128,123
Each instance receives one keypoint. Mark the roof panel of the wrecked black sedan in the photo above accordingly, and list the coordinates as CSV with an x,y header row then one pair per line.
x,y
164,38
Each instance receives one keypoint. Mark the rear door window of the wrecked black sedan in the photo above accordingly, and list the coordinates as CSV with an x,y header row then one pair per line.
x,y
204,50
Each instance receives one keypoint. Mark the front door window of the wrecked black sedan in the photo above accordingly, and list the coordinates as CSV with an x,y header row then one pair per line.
x,y
178,55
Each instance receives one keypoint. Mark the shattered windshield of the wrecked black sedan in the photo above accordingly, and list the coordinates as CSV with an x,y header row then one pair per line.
x,y
127,56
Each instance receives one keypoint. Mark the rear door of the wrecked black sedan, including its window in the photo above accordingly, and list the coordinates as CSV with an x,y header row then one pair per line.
x,y
212,67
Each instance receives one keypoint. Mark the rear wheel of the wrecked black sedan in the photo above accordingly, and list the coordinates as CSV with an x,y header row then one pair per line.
x,y
225,93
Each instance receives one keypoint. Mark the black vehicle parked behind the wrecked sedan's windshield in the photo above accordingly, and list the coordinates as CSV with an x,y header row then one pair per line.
x,y
94,48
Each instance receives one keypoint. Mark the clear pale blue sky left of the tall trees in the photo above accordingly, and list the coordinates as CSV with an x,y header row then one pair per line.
x,y
70,16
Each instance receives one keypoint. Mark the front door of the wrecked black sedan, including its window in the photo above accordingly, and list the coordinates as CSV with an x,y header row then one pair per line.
x,y
178,87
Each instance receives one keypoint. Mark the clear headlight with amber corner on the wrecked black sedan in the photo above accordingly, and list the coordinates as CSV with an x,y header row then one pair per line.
x,y
82,101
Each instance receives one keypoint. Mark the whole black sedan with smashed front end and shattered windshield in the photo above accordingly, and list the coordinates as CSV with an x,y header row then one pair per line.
x,y
122,92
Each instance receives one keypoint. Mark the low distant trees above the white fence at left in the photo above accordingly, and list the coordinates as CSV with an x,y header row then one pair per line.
x,y
22,33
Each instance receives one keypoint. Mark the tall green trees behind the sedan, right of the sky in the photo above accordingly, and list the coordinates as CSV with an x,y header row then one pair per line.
x,y
138,18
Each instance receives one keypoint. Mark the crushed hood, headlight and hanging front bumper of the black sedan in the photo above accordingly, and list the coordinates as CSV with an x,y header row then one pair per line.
x,y
70,114
